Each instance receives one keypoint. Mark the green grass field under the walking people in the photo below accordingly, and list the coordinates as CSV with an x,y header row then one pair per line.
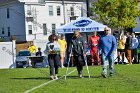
x,y
126,79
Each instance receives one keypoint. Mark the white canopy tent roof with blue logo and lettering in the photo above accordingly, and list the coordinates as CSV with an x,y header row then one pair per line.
x,y
83,24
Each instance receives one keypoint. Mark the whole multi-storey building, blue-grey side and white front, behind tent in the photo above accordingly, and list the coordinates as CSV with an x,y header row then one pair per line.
x,y
28,20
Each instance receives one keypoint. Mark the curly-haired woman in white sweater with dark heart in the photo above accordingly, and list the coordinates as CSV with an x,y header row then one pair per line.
x,y
53,49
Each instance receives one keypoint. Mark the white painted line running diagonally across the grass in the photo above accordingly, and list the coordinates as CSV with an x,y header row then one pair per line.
x,y
27,91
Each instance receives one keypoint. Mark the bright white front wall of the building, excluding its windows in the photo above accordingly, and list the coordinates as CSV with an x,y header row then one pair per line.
x,y
41,15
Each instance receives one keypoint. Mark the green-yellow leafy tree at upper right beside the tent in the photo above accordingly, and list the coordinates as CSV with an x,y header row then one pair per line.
x,y
118,14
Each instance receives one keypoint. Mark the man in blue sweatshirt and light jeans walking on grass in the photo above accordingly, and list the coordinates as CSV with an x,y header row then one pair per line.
x,y
107,44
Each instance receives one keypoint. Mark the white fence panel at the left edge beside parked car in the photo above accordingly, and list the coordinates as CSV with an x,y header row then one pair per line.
x,y
7,54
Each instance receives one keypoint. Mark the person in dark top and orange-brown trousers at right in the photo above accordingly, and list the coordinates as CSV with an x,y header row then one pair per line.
x,y
128,46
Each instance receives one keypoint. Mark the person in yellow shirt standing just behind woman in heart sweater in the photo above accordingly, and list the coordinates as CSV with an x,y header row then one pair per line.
x,y
63,46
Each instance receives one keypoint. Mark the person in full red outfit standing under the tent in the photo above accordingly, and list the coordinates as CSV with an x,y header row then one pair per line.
x,y
93,40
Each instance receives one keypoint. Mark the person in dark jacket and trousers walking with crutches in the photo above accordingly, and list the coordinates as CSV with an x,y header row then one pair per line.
x,y
78,48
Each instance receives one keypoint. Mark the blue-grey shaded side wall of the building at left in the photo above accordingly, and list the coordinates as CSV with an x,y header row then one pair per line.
x,y
15,22
